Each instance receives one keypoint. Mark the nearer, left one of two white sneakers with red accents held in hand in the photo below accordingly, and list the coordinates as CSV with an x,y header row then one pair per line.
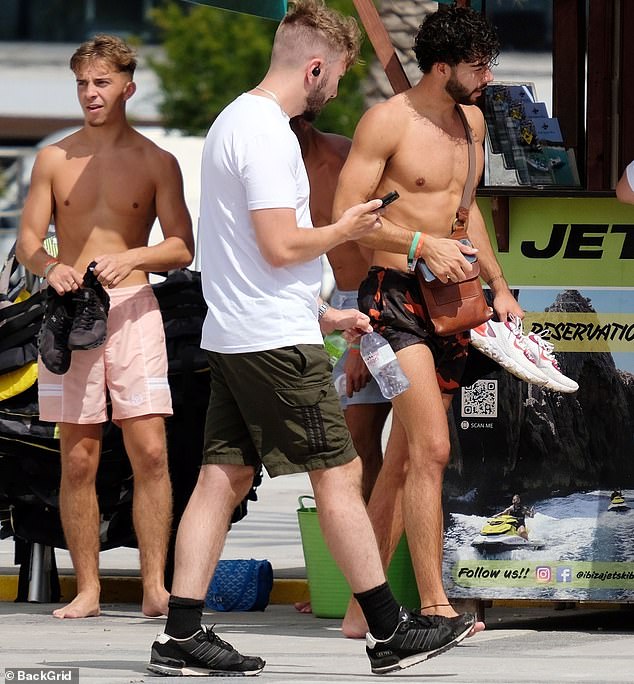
x,y
503,342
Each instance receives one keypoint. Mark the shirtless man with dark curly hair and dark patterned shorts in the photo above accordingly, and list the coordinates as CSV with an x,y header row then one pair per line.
x,y
415,143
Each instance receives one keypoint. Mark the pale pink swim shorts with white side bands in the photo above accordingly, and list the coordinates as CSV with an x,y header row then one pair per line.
x,y
129,369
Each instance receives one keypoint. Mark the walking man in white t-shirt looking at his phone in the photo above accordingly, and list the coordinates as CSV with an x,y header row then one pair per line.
x,y
272,398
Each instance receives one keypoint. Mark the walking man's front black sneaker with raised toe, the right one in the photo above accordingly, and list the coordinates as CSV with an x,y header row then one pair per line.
x,y
416,638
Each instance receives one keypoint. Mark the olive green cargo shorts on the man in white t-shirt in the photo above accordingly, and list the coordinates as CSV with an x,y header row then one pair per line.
x,y
278,408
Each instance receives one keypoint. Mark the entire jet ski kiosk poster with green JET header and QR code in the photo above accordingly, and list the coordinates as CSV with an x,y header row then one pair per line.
x,y
539,494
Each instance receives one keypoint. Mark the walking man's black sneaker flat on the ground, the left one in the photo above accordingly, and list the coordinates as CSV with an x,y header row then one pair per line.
x,y
203,654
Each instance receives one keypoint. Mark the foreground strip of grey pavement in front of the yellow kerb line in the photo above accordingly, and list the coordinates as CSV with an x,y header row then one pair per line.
x,y
114,648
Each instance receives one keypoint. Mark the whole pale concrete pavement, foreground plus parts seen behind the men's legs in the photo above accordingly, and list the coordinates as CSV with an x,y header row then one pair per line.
x,y
524,642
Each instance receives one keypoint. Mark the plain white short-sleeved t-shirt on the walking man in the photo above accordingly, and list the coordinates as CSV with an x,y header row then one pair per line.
x,y
252,160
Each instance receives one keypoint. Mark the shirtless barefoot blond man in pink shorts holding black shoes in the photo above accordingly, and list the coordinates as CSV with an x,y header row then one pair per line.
x,y
104,186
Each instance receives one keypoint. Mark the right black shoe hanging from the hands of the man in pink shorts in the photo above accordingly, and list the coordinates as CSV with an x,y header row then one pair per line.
x,y
91,314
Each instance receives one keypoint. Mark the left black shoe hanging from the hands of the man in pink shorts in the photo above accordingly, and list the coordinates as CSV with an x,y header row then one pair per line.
x,y
52,340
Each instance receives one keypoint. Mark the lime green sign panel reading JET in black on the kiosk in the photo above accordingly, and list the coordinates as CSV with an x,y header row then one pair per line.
x,y
566,242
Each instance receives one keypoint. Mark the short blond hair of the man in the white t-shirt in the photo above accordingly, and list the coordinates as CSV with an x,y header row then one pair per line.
x,y
308,27
